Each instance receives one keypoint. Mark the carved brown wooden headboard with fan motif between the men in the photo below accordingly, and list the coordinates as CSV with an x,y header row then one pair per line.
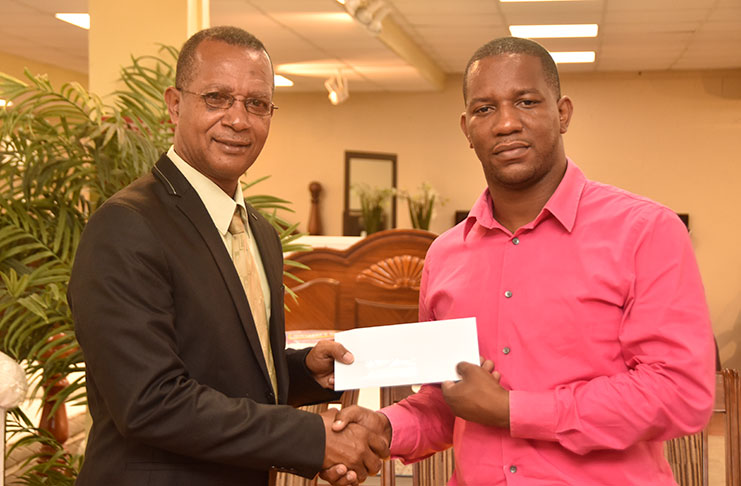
x,y
374,282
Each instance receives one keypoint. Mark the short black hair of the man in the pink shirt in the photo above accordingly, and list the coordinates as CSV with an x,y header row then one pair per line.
x,y
516,45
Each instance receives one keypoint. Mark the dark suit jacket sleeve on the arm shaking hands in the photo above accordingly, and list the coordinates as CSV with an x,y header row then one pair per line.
x,y
121,295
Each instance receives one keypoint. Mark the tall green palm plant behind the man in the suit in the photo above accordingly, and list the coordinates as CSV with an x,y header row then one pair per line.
x,y
63,152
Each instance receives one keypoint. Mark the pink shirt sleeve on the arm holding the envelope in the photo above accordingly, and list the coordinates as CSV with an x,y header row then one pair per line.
x,y
667,345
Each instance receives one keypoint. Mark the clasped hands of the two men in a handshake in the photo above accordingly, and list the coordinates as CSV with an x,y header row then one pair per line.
x,y
357,439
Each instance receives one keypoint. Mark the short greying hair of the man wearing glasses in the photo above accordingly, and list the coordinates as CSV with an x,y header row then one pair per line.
x,y
231,35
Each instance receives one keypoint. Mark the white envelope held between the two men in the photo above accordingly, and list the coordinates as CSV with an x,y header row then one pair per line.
x,y
406,354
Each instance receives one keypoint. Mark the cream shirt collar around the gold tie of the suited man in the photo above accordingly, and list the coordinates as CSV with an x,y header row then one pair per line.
x,y
218,204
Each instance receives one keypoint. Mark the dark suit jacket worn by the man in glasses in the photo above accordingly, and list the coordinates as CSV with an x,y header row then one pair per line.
x,y
177,384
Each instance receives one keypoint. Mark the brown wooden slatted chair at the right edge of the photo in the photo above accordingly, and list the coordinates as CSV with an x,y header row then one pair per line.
x,y
688,455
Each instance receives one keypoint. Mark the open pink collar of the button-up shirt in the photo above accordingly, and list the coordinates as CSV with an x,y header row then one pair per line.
x,y
563,204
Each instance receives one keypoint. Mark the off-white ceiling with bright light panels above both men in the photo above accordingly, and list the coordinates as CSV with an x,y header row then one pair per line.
x,y
316,37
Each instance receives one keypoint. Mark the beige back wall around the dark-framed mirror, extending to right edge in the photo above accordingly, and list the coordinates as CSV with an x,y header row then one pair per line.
x,y
672,137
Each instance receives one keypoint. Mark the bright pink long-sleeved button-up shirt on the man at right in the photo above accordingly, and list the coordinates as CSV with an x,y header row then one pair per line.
x,y
595,316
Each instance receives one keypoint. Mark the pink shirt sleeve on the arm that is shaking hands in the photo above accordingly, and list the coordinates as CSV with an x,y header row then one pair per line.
x,y
421,424
